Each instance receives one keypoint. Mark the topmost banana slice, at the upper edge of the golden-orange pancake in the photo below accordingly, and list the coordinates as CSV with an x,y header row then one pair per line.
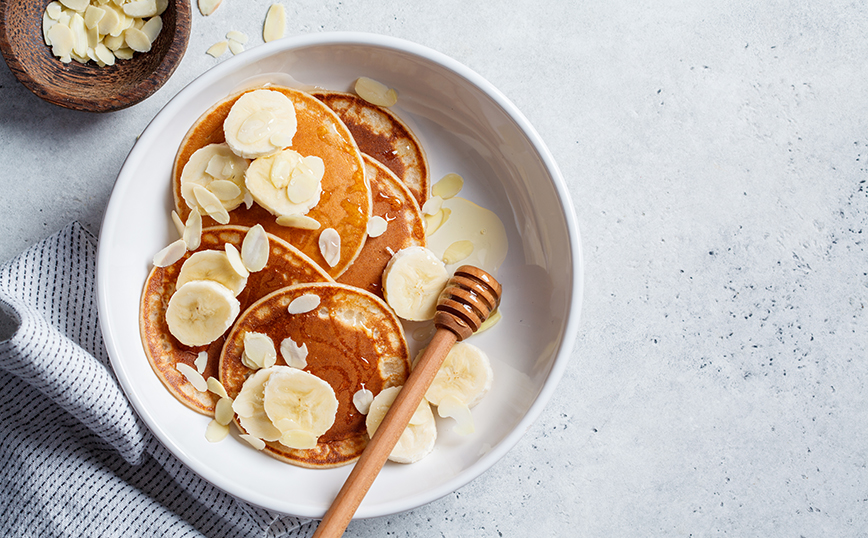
x,y
260,123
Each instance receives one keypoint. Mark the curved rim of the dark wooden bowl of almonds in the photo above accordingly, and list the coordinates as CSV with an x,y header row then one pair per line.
x,y
136,94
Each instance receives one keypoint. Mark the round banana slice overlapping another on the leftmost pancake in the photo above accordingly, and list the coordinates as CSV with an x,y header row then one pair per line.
x,y
200,311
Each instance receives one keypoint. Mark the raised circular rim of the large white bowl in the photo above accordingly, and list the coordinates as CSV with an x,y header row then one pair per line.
x,y
576,268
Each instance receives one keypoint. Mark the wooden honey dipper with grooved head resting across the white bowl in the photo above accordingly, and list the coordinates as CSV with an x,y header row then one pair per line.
x,y
468,299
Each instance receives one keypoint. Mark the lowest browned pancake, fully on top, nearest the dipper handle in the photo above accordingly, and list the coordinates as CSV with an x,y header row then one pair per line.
x,y
353,340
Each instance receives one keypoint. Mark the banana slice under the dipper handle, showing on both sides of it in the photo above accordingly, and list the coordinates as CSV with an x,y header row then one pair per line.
x,y
418,438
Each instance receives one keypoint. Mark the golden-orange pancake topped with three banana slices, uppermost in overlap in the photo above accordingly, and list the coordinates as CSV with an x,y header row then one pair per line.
x,y
345,204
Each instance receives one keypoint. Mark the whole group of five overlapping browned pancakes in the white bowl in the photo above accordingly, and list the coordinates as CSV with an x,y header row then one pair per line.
x,y
375,166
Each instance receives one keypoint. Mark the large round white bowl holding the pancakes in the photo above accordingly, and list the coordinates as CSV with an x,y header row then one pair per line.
x,y
468,127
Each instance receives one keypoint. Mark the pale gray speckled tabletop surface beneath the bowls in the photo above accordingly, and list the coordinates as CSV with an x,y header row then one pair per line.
x,y
715,153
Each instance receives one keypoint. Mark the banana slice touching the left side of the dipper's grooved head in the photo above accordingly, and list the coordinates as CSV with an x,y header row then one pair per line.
x,y
412,282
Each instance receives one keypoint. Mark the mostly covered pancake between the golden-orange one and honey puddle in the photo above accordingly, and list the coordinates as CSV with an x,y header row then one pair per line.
x,y
394,202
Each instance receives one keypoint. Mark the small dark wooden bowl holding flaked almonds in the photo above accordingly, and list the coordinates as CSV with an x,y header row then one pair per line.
x,y
89,87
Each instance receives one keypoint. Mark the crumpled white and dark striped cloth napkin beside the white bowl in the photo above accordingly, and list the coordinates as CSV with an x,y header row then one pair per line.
x,y
77,461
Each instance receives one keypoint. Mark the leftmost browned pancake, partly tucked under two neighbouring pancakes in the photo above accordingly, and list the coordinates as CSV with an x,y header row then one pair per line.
x,y
286,266
